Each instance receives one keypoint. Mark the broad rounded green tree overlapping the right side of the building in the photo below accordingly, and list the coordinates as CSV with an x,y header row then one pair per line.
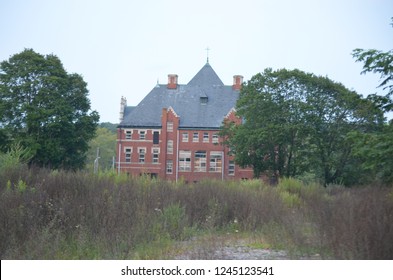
x,y
295,122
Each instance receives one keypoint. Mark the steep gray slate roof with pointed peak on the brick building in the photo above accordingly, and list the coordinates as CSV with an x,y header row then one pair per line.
x,y
185,101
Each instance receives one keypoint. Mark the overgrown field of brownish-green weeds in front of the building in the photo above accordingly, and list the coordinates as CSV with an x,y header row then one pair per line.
x,y
60,215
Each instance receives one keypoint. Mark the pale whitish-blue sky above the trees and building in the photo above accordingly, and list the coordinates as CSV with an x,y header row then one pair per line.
x,y
121,48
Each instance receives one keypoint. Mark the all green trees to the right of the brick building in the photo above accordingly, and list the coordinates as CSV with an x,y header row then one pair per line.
x,y
302,125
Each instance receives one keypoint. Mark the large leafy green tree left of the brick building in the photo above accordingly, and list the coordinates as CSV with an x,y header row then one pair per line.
x,y
45,109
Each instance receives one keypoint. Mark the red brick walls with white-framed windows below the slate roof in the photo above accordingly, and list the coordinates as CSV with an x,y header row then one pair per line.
x,y
190,154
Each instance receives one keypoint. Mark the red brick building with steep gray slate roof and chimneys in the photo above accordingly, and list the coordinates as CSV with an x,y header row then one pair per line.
x,y
173,132
